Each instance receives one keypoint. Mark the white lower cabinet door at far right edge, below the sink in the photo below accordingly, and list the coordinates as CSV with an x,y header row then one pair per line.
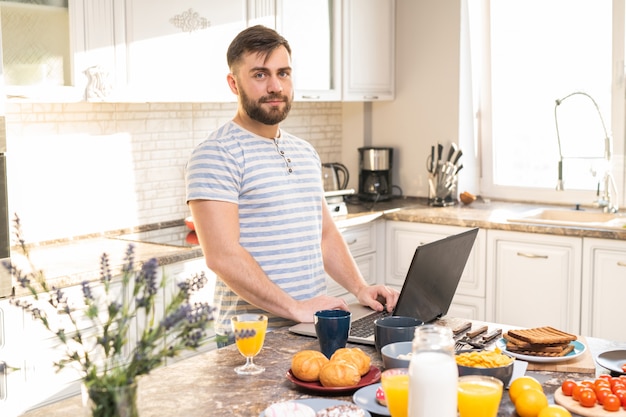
x,y
604,286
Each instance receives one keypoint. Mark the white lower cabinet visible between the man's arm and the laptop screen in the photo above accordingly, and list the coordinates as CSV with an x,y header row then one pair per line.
x,y
362,242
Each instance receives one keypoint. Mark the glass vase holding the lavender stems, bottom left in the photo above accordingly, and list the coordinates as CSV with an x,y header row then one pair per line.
x,y
110,401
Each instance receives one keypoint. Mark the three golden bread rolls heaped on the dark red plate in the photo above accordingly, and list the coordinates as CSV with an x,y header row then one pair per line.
x,y
344,369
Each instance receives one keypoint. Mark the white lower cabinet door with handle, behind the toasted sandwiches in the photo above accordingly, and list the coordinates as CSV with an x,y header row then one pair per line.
x,y
536,280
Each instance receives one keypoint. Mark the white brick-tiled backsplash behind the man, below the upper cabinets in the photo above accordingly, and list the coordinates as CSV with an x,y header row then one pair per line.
x,y
85,168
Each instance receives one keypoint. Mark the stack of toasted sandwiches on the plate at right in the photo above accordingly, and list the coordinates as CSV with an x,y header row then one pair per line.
x,y
539,341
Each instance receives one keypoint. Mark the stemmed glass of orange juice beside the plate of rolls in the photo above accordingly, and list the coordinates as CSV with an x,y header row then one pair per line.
x,y
249,332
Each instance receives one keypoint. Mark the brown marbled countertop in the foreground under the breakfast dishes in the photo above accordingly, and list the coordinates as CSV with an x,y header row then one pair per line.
x,y
206,384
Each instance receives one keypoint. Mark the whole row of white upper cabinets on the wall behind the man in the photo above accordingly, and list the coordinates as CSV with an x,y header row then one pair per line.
x,y
166,51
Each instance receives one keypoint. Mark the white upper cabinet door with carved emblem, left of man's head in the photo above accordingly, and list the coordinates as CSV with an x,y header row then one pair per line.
x,y
176,51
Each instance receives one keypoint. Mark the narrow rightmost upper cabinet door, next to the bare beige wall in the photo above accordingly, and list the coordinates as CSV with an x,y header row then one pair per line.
x,y
368,50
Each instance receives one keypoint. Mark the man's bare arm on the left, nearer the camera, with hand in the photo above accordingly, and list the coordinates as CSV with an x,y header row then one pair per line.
x,y
217,227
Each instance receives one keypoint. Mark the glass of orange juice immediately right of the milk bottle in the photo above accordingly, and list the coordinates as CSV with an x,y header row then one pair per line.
x,y
479,396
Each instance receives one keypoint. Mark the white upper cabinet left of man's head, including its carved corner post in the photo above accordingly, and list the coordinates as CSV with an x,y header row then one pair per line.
x,y
146,50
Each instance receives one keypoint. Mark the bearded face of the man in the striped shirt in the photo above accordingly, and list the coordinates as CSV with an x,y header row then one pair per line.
x,y
265,87
